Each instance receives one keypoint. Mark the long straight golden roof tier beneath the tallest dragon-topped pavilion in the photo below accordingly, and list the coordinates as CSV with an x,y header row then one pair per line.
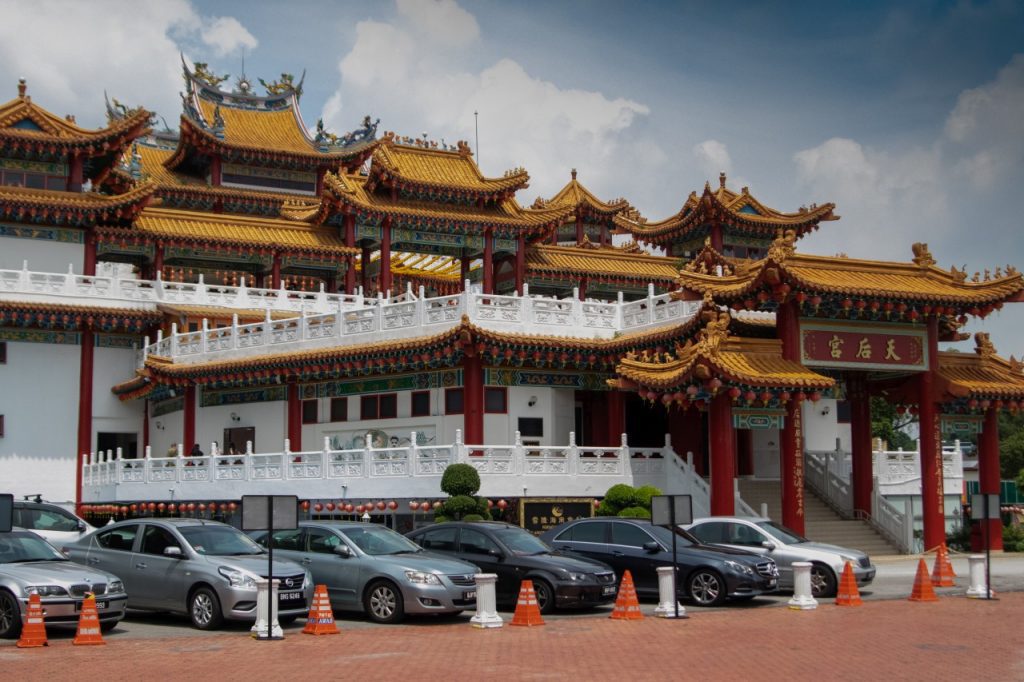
x,y
247,231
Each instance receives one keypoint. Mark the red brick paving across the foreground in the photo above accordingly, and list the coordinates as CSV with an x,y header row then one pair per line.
x,y
955,640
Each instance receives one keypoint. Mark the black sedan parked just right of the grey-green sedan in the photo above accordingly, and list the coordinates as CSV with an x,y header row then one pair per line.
x,y
517,556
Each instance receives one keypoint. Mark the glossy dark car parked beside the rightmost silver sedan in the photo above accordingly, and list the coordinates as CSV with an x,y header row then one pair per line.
x,y
709,576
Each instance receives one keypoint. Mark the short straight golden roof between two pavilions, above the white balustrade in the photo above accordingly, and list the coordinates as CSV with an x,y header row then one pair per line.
x,y
608,262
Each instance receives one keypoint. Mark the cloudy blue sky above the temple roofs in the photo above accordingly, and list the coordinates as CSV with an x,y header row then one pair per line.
x,y
909,116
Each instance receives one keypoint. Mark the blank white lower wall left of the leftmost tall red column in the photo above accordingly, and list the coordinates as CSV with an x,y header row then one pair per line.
x,y
39,402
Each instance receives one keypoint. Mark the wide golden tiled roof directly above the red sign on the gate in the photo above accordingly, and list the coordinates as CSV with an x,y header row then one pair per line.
x,y
885,280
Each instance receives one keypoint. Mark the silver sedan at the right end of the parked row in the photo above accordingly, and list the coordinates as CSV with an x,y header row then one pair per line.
x,y
765,537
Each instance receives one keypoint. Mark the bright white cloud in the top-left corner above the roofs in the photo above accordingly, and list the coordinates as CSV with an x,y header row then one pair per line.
x,y
132,52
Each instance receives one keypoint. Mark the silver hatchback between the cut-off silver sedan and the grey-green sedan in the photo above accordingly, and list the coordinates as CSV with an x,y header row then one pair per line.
x,y
205,570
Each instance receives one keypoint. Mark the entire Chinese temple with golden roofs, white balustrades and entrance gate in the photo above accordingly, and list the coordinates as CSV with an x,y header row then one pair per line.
x,y
244,306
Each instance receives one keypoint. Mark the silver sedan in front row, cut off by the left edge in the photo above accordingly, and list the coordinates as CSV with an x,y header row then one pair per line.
x,y
29,565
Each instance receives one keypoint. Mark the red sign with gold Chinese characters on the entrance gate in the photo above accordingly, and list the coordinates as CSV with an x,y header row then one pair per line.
x,y
867,348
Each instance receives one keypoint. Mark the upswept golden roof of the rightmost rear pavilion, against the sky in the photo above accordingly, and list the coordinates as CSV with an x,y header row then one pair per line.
x,y
724,204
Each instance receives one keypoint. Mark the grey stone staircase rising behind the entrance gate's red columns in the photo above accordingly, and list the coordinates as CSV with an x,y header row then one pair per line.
x,y
822,524
